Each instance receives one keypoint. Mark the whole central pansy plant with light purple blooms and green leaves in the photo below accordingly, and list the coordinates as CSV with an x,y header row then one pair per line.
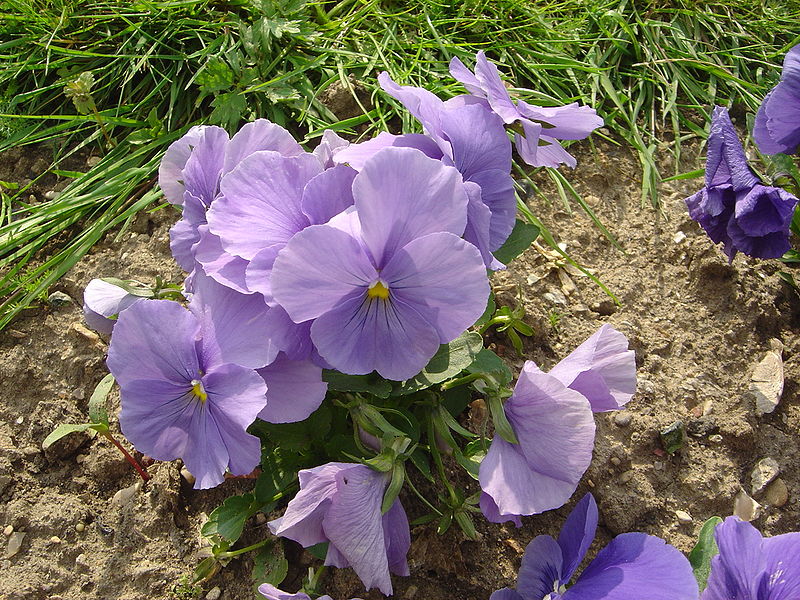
x,y
324,341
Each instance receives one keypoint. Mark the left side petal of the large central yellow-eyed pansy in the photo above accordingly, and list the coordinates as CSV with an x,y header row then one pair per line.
x,y
319,267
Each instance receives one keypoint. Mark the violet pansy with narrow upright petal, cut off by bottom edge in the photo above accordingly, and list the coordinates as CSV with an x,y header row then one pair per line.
x,y
631,567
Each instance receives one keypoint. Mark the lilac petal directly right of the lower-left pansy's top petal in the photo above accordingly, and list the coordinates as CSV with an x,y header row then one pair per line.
x,y
234,325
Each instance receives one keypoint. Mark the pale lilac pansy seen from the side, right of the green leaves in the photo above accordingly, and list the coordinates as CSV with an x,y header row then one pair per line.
x,y
551,415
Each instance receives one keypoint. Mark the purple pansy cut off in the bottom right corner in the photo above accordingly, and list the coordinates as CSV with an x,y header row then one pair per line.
x,y
750,567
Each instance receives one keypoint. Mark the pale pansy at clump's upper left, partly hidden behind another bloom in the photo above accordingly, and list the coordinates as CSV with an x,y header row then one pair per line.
x,y
190,175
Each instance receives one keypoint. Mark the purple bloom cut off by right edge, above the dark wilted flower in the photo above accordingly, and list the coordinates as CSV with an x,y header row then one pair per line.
x,y
777,125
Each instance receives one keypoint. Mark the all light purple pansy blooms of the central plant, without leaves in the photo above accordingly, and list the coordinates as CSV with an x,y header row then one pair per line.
x,y
357,258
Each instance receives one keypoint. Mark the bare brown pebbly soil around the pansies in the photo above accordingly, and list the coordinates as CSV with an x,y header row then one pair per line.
x,y
698,326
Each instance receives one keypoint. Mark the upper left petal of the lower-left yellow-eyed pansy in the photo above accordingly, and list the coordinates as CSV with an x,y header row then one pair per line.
x,y
154,340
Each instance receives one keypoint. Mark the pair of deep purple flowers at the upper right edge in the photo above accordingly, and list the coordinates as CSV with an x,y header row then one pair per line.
x,y
734,207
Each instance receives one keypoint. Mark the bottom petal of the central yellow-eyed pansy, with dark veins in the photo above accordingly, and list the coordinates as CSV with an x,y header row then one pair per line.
x,y
362,334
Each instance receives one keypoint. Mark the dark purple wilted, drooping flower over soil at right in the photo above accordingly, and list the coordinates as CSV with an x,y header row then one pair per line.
x,y
734,207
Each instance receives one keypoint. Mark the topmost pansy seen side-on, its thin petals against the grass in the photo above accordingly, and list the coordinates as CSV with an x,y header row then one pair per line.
x,y
543,127
